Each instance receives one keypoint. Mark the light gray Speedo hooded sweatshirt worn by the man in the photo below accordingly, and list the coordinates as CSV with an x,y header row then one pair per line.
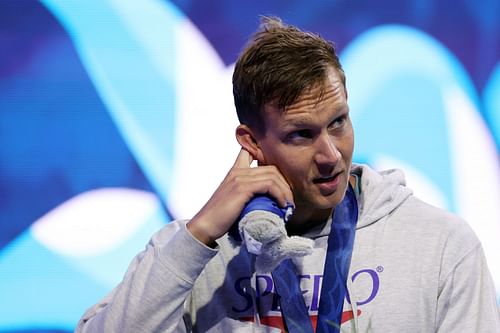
x,y
414,268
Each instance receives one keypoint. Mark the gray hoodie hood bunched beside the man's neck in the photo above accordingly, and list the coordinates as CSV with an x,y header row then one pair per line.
x,y
380,193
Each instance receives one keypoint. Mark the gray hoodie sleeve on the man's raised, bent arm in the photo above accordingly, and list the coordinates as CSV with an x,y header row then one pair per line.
x,y
152,294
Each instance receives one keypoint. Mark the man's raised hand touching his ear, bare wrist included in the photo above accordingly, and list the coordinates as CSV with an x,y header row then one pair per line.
x,y
240,185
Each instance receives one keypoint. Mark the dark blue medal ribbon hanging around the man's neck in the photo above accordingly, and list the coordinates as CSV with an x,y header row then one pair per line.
x,y
334,287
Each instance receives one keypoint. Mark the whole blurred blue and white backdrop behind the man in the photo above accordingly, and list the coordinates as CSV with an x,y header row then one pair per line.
x,y
116,117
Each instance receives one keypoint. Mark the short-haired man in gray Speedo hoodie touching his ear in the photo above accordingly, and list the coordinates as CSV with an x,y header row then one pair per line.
x,y
412,267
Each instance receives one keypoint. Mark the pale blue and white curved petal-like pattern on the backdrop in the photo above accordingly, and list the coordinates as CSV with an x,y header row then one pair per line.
x,y
180,126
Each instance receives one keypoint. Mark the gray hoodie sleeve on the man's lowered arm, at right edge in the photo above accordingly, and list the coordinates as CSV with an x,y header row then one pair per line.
x,y
467,300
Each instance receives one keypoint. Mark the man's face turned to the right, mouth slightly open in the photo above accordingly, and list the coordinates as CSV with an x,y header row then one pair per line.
x,y
312,143
